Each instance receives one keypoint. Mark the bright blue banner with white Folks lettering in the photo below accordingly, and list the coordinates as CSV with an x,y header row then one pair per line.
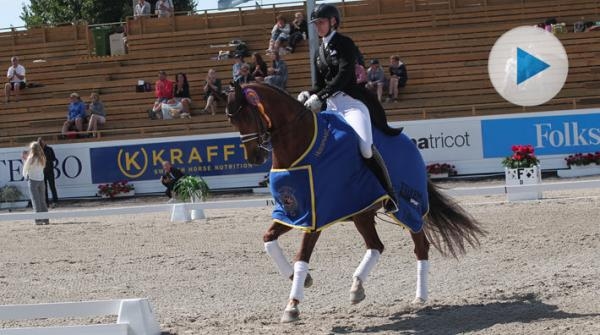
x,y
549,135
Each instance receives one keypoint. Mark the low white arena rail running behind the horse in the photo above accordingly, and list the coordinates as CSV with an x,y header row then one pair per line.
x,y
181,211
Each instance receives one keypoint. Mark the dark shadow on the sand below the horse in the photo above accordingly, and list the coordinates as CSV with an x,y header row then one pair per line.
x,y
456,319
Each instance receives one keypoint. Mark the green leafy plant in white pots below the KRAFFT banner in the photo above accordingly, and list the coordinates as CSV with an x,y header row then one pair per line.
x,y
189,189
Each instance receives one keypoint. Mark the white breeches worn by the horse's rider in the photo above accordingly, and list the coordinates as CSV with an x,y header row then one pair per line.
x,y
356,114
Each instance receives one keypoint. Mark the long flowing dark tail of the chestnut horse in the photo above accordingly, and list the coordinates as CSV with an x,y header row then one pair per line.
x,y
448,226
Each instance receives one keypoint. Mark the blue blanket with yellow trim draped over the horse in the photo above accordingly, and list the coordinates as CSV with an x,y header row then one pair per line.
x,y
330,182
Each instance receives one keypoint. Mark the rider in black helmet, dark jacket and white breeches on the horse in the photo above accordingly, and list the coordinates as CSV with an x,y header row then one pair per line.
x,y
336,84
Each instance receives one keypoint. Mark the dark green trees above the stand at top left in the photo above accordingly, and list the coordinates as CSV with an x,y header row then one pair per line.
x,y
52,12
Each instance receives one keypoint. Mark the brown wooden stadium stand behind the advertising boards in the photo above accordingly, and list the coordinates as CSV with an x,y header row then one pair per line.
x,y
444,43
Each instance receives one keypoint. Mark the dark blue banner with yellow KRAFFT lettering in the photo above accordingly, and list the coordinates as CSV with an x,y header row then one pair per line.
x,y
210,157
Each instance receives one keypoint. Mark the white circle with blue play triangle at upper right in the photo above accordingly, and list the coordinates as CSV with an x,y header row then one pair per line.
x,y
528,66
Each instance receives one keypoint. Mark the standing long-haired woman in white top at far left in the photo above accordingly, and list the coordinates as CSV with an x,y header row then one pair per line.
x,y
33,170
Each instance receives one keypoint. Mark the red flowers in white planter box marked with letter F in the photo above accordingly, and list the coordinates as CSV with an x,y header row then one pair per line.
x,y
522,168
